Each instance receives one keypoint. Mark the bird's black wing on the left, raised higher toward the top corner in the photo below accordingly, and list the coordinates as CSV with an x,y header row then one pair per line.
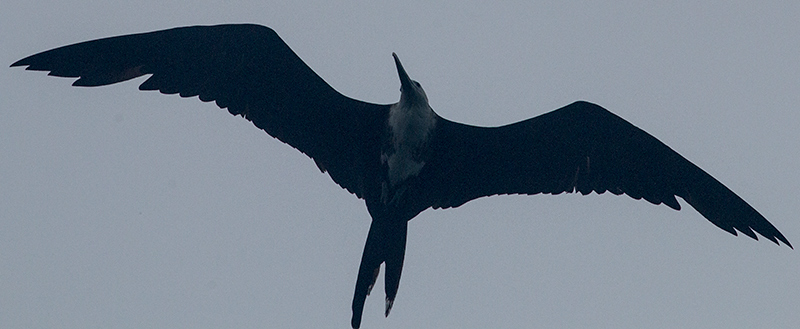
x,y
245,68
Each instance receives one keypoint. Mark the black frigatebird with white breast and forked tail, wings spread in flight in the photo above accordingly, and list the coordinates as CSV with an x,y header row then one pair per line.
x,y
401,158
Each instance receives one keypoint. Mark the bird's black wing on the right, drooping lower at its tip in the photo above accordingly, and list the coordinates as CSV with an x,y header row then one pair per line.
x,y
580,147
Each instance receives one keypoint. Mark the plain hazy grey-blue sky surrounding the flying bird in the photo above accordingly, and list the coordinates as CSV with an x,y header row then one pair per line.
x,y
123,209
